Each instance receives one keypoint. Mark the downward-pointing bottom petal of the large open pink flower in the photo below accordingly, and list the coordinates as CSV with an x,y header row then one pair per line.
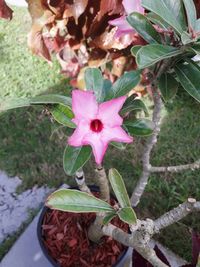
x,y
98,146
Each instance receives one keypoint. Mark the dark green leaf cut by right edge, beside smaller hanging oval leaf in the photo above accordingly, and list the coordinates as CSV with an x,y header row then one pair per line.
x,y
189,77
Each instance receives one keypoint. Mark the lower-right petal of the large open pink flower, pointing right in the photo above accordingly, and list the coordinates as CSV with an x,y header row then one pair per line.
x,y
116,134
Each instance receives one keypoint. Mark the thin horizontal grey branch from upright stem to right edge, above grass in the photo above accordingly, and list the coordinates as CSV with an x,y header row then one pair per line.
x,y
179,168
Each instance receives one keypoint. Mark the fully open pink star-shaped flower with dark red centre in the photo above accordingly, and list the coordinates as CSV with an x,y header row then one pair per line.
x,y
97,124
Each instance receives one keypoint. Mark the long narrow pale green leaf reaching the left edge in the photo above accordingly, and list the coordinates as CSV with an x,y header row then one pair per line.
x,y
12,103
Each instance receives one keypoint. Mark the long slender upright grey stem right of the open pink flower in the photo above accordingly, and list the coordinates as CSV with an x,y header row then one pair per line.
x,y
141,185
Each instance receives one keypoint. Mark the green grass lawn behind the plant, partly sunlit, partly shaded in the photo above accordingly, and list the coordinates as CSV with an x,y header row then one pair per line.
x,y
32,149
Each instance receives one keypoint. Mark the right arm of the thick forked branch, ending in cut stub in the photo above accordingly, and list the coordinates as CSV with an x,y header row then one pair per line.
x,y
176,214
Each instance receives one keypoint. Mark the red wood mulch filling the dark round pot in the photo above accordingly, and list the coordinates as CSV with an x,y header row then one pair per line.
x,y
65,237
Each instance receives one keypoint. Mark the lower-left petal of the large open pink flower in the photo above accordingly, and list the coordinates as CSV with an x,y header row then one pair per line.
x,y
77,137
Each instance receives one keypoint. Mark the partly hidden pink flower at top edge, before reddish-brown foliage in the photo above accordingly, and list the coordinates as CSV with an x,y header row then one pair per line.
x,y
121,23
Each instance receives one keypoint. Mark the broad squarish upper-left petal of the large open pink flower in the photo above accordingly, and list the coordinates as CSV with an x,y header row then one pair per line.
x,y
84,105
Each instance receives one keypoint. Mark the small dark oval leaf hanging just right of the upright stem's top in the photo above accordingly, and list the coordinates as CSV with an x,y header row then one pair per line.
x,y
168,86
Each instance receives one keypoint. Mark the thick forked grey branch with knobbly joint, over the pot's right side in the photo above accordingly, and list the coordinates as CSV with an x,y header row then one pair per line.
x,y
142,233
